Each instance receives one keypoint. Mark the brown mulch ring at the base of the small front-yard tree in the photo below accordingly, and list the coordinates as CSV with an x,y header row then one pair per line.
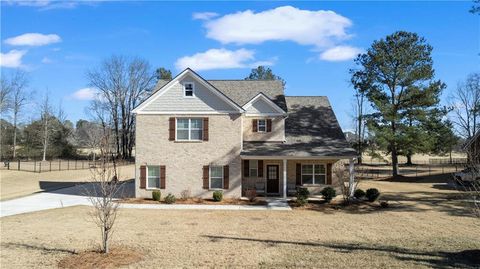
x,y
117,257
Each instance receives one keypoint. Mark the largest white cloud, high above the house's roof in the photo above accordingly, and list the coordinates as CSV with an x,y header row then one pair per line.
x,y
318,28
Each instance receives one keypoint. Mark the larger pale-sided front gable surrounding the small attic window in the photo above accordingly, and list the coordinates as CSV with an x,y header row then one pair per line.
x,y
170,98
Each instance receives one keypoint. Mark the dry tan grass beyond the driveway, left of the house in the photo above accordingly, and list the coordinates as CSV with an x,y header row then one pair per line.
x,y
15,184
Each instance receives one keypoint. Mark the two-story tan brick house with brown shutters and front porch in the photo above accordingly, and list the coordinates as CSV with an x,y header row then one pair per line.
x,y
204,135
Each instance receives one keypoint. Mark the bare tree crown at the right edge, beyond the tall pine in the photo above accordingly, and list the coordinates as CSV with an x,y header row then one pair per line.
x,y
466,106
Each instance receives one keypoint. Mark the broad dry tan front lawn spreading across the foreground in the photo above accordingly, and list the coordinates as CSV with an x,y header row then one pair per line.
x,y
424,227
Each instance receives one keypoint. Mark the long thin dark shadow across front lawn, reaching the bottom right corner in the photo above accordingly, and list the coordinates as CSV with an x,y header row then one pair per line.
x,y
438,259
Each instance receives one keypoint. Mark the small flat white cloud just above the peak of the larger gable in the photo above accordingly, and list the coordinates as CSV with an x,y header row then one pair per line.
x,y
220,59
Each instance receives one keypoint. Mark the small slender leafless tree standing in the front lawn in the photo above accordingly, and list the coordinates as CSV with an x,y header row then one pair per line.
x,y
105,188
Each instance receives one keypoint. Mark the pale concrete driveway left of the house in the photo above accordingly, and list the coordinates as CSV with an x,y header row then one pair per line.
x,y
65,197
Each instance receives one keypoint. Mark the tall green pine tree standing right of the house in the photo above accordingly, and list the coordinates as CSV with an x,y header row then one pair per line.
x,y
399,72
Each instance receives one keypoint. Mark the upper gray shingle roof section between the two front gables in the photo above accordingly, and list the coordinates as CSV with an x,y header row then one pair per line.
x,y
242,91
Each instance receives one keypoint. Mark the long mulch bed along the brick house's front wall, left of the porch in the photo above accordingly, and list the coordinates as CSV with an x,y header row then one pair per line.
x,y
196,201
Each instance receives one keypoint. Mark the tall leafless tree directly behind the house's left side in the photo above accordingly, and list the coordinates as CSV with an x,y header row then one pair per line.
x,y
122,84
